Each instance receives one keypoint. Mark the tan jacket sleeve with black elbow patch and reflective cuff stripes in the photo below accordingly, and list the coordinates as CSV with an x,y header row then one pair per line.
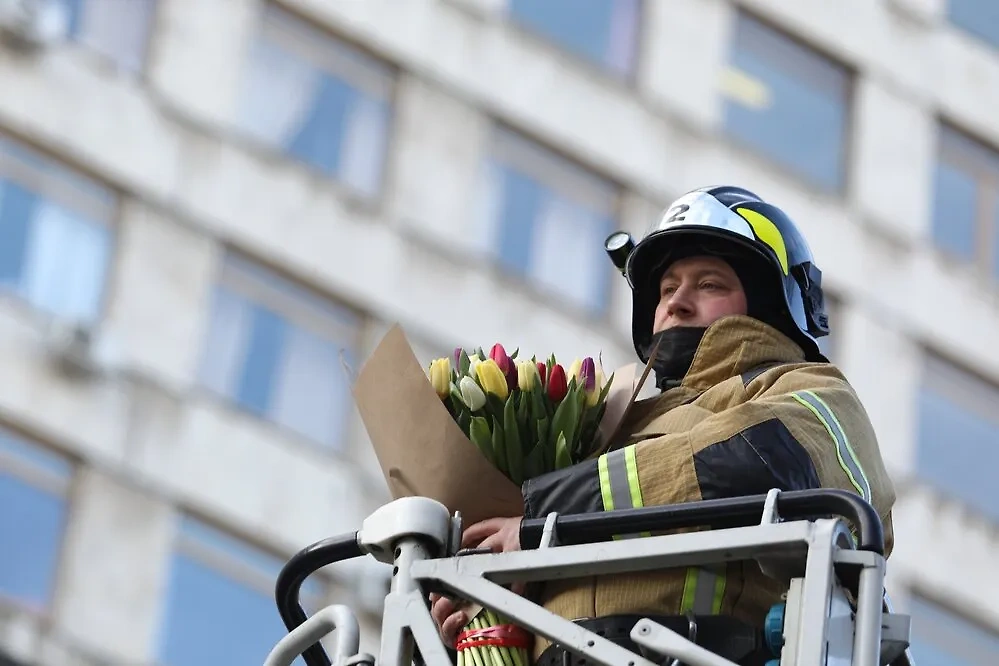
x,y
806,429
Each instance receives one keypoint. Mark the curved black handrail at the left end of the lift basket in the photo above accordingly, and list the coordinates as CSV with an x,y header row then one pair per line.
x,y
288,588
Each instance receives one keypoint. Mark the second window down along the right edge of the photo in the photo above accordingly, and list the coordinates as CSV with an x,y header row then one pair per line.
x,y
966,200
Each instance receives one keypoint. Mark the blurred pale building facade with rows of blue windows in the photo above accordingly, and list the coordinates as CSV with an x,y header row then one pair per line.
x,y
211,211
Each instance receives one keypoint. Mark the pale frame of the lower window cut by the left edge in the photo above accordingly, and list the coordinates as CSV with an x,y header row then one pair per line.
x,y
48,481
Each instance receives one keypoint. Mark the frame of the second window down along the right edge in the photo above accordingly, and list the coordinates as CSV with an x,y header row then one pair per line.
x,y
966,152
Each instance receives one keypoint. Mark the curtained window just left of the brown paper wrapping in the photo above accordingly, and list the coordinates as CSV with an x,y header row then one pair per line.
x,y
274,348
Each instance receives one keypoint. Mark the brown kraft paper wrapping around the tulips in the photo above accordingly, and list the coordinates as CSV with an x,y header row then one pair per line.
x,y
422,451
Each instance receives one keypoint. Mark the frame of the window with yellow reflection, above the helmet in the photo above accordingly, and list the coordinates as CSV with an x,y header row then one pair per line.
x,y
841,188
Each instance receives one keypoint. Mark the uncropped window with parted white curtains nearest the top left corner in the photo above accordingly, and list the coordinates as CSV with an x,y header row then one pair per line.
x,y
318,99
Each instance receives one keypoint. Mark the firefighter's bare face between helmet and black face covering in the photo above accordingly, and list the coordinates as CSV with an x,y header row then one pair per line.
x,y
696,291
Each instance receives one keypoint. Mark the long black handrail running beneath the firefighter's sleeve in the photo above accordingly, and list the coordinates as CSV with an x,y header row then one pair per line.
x,y
735,511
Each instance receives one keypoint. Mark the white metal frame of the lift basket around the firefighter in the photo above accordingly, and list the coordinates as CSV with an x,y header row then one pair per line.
x,y
821,624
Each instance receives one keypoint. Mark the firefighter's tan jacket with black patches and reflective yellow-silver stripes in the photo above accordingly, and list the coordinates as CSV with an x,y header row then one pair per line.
x,y
749,415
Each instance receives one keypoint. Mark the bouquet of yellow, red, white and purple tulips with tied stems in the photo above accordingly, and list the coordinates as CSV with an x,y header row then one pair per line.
x,y
527,418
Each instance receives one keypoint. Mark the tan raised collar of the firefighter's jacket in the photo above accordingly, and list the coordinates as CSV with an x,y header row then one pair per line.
x,y
734,345
